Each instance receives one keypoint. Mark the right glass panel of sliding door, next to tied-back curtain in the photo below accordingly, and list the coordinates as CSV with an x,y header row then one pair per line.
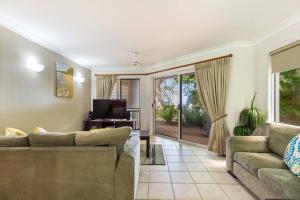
x,y
195,123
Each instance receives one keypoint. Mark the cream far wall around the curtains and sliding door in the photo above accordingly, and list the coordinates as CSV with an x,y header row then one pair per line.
x,y
241,86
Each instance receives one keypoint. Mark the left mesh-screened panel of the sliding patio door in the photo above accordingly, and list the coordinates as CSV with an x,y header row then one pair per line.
x,y
167,100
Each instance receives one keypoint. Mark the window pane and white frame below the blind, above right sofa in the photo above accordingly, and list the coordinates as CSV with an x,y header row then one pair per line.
x,y
286,96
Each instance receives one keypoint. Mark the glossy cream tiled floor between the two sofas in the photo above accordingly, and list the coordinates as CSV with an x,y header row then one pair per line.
x,y
191,172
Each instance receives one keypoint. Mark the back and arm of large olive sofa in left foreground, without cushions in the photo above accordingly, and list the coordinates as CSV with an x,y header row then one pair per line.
x,y
41,172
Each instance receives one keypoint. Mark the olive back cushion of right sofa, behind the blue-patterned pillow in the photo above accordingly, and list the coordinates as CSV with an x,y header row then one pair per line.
x,y
279,137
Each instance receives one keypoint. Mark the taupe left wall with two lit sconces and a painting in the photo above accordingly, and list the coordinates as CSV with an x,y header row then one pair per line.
x,y
28,98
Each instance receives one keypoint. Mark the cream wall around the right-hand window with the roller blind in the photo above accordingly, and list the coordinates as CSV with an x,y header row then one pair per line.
x,y
262,62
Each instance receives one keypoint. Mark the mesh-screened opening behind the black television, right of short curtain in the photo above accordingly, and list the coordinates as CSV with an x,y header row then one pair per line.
x,y
130,90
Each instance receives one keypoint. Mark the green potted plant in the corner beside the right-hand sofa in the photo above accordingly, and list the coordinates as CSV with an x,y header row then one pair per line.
x,y
250,119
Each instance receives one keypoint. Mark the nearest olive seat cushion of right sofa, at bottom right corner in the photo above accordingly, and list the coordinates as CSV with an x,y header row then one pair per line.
x,y
280,181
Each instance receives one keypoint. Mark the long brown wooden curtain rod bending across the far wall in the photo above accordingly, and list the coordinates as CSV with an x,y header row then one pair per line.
x,y
164,70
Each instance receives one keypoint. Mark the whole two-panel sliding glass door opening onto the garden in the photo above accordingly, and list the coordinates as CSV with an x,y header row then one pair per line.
x,y
178,111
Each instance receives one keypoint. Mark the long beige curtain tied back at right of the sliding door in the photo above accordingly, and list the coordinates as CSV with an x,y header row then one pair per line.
x,y
212,80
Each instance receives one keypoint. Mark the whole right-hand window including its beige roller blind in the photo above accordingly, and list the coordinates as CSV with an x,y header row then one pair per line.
x,y
285,63
